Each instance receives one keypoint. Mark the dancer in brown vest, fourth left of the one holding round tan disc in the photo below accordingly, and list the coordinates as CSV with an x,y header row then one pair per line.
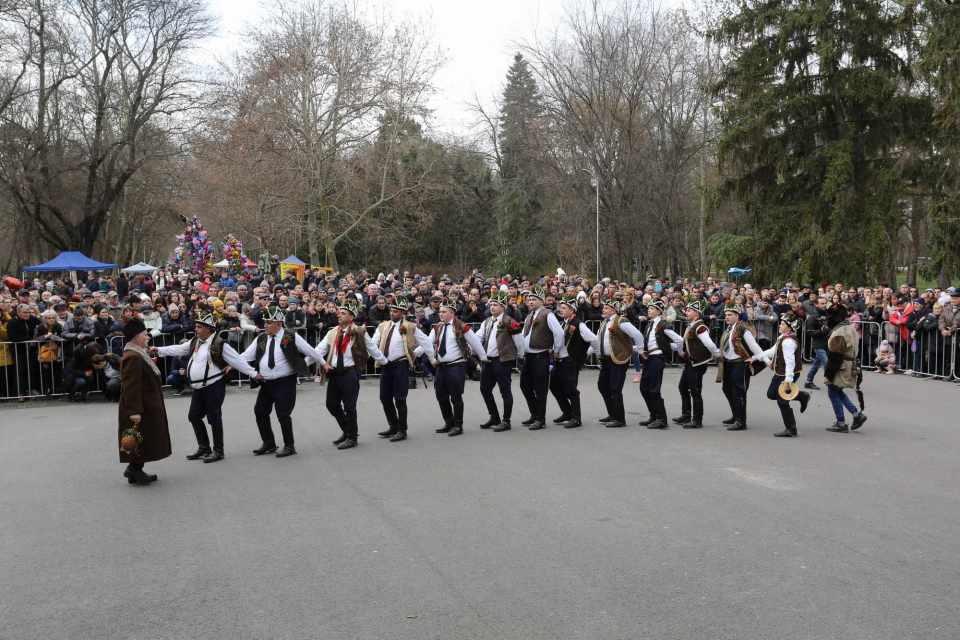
x,y
617,341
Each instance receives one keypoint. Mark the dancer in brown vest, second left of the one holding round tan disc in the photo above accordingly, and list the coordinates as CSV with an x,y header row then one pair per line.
x,y
697,350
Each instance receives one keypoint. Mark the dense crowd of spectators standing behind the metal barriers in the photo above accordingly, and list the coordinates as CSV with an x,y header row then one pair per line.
x,y
64,337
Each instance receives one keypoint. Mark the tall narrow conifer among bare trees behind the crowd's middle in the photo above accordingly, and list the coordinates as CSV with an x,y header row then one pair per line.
x,y
521,198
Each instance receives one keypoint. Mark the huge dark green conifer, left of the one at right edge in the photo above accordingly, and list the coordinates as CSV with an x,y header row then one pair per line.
x,y
813,119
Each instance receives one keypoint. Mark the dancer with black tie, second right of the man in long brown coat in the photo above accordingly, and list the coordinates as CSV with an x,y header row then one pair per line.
x,y
279,357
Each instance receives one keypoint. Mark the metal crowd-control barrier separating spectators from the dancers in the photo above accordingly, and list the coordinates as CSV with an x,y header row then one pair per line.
x,y
35,368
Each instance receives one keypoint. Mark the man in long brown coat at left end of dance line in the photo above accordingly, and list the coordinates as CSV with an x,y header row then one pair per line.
x,y
141,405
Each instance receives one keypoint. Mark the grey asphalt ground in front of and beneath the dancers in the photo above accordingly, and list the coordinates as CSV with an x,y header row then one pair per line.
x,y
588,533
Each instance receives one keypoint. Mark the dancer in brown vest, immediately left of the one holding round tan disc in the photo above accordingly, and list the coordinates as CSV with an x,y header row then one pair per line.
x,y
738,348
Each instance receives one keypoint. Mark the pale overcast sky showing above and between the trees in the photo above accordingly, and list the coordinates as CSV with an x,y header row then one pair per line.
x,y
476,37
